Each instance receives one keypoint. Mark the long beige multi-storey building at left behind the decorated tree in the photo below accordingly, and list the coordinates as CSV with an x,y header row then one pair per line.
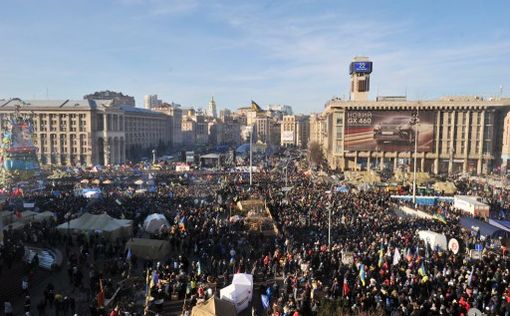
x,y
90,132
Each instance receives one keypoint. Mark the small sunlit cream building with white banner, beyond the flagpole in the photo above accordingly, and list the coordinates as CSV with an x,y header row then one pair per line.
x,y
295,130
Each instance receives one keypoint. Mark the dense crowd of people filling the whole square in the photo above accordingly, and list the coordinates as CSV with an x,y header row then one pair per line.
x,y
334,252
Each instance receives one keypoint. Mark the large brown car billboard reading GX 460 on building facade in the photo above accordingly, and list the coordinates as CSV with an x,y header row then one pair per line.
x,y
388,131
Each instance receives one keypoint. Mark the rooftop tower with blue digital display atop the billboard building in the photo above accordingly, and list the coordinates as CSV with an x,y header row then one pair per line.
x,y
360,70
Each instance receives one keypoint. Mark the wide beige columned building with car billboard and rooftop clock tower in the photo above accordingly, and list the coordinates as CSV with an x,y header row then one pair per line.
x,y
449,135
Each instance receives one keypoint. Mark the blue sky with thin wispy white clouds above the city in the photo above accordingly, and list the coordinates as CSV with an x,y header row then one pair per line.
x,y
294,52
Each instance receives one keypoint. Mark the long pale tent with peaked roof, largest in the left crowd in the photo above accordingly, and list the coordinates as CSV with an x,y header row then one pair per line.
x,y
104,224
